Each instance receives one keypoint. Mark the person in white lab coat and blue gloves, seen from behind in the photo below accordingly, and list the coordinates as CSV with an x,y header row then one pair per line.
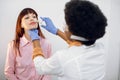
x,y
84,59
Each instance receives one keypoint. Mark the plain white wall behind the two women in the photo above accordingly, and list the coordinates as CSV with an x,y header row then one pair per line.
x,y
9,10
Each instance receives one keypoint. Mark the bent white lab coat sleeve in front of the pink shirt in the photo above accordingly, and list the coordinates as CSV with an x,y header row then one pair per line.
x,y
48,66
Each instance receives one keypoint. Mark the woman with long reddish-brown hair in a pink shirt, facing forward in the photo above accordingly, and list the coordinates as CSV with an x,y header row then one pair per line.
x,y
19,64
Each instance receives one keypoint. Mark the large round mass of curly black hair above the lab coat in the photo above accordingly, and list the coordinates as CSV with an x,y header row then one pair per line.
x,y
85,19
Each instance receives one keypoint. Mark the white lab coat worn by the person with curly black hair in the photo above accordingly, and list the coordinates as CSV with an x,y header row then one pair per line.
x,y
75,63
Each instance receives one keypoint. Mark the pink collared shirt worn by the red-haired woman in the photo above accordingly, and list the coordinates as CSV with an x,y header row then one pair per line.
x,y
22,68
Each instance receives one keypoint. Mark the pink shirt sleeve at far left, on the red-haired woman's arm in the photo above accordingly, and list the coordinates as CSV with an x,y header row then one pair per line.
x,y
9,70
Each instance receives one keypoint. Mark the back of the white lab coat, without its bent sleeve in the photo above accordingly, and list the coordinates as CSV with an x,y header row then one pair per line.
x,y
82,62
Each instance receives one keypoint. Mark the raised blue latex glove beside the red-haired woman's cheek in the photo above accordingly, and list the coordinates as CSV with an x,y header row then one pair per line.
x,y
49,25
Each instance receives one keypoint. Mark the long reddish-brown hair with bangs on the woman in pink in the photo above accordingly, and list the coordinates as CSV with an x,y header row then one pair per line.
x,y
20,31
